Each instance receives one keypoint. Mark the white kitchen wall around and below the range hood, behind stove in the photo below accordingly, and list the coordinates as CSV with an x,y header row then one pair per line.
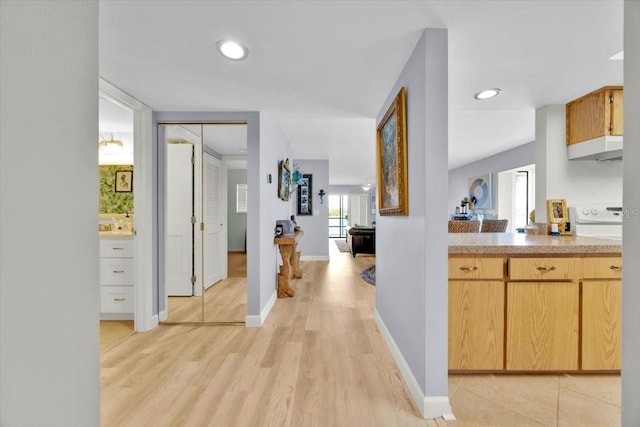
x,y
574,180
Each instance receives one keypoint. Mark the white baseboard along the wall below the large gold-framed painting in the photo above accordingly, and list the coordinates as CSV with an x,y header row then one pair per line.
x,y
429,406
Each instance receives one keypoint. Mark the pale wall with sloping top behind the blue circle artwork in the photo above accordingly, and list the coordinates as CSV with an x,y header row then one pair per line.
x,y
459,178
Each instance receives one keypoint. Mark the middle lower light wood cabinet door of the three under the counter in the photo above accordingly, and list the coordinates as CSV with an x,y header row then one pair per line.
x,y
542,326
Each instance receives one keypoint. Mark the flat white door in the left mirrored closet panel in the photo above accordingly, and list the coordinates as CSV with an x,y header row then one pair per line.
x,y
179,205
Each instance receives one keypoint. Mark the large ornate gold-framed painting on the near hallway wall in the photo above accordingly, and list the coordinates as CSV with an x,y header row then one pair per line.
x,y
393,194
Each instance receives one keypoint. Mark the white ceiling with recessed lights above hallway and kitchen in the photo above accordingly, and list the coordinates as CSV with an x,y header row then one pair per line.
x,y
325,68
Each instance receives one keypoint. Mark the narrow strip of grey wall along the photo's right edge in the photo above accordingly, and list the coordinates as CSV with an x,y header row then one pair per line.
x,y
631,226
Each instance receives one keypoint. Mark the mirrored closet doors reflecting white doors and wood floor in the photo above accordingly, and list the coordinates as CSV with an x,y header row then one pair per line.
x,y
196,198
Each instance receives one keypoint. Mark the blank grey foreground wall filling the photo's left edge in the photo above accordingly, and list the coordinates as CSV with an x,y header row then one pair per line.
x,y
49,299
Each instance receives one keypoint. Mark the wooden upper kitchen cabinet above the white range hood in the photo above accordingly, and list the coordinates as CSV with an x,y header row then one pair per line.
x,y
594,115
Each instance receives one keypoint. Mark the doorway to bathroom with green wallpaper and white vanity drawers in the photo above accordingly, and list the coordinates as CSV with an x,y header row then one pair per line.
x,y
115,221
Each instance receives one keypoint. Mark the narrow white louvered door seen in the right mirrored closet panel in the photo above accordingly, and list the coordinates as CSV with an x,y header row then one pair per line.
x,y
214,257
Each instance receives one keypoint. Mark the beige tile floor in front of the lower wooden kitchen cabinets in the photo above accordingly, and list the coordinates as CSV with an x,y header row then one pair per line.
x,y
535,400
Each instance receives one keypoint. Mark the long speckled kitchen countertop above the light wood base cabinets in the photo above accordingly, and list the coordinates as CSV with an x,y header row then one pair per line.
x,y
529,244
